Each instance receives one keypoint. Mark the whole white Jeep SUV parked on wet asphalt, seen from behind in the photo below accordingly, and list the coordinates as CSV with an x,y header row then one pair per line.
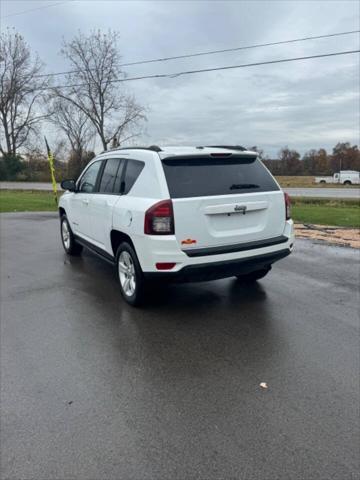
x,y
177,214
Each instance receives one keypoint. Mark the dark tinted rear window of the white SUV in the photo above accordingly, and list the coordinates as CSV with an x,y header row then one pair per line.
x,y
208,176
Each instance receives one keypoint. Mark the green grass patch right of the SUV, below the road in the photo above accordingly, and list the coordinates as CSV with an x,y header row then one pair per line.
x,y
321,211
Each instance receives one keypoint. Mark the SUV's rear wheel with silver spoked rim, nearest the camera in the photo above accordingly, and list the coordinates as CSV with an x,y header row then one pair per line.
x,y
131,278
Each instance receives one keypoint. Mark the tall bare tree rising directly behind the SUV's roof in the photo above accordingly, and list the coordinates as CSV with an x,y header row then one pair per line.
x,y
93,87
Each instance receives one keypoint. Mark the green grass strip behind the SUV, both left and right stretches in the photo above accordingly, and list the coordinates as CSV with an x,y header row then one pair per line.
x,y
321,211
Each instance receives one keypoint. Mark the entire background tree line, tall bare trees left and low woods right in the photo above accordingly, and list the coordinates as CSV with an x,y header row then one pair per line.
x,y
90,104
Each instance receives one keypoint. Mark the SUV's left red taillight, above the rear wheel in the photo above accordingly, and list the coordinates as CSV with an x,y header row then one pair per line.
x,y
159,219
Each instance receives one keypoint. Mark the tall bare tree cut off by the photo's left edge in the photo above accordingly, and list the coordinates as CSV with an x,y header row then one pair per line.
x,y
21,92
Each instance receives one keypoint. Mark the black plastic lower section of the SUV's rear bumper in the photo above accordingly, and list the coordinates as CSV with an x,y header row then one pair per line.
x,y
216,270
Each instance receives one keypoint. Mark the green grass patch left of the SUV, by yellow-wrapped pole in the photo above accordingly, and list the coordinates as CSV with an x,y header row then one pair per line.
x,y
26,201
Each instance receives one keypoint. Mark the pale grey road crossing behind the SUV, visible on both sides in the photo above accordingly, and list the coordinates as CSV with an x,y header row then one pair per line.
x,y
343,192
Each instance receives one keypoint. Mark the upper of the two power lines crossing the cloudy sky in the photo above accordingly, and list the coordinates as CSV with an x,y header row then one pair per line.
x,y
212,52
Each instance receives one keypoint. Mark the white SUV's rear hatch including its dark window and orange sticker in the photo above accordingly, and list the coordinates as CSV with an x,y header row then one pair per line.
x,y
223,199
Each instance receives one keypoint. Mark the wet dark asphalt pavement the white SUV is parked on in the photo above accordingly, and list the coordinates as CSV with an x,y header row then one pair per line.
x,y
94,389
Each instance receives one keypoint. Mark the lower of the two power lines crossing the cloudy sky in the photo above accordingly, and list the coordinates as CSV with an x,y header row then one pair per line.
x,y
214,69
